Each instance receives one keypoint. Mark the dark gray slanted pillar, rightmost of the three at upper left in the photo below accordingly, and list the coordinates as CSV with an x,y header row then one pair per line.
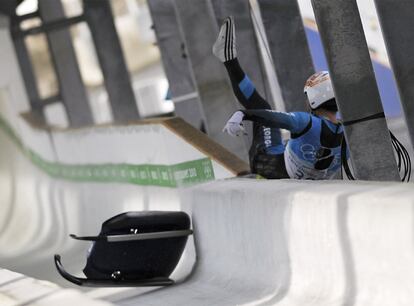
x,y
108,48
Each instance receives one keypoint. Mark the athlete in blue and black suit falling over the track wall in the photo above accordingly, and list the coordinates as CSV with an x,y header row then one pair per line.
x,y
314,149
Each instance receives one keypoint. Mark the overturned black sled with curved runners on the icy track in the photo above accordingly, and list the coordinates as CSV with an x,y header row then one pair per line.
x,y
133,249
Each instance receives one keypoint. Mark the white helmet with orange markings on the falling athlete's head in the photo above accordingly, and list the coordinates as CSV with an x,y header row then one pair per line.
x,y
318,89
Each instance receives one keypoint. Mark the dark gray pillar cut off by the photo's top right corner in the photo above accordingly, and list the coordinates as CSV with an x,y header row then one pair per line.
x,y
397,24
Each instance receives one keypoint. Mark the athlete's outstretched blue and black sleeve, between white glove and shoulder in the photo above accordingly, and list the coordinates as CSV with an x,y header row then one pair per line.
x,y
295,122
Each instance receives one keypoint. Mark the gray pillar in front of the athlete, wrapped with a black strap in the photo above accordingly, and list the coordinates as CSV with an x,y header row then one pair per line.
x,y
356,90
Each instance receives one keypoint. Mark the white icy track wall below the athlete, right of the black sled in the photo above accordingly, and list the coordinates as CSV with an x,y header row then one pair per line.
x,y
298,243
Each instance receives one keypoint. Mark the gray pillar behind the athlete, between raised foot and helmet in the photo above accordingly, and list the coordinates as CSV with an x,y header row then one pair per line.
x,y
288,48
